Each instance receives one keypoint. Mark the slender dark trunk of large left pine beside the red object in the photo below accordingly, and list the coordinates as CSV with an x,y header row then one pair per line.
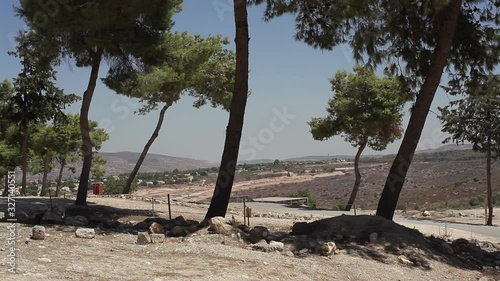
x,y
81,197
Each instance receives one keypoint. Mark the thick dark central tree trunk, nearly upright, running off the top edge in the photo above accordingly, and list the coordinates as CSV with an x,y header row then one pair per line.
x,y
225,178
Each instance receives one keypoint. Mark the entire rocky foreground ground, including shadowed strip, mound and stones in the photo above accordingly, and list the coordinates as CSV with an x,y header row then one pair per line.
x,y
115,243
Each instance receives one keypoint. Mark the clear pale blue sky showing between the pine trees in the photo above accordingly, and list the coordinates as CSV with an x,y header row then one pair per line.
x,y
288,79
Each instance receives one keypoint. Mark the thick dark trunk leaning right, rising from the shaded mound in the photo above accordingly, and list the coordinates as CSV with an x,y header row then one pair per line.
x,y
397,174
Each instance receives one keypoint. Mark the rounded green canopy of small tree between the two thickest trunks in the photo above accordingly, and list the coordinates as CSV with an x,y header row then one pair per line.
x,y
364,109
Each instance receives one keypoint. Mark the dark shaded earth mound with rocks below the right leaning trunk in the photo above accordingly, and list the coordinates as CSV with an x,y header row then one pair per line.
x,y
385,241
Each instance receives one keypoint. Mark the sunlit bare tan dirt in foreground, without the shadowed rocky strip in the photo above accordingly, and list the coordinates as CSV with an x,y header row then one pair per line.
x,y
114,255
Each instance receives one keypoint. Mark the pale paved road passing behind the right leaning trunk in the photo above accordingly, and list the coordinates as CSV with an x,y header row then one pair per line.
x,y
472,229
